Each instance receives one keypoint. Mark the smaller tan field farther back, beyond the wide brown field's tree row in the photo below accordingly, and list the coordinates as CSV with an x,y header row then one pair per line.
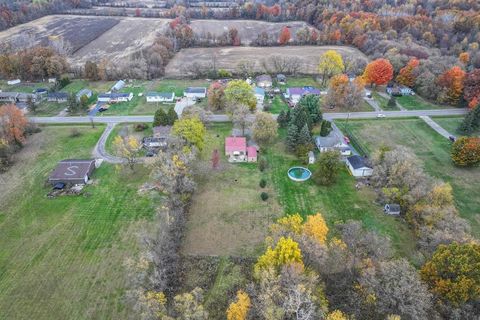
x,y
248,29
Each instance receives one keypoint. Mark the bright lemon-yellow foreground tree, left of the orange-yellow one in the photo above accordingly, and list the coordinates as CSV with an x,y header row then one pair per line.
x,y
285,252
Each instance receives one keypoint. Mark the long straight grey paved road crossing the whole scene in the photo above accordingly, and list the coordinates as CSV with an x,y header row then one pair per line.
x,y
224,117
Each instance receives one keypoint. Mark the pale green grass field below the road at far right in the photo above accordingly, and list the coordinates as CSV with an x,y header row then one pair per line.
x,y
434,152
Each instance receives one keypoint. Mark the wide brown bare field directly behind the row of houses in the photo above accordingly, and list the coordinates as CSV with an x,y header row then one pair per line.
x,y
228,57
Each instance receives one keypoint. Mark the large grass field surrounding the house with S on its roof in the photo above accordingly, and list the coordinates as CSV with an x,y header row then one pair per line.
x,y
64,258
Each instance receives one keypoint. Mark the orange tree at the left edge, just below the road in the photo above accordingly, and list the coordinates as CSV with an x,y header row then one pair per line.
x,y
12,124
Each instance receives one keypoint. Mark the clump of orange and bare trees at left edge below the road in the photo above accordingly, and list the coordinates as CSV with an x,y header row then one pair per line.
x,y
14,128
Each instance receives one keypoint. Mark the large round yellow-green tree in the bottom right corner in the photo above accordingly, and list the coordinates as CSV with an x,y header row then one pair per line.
x,y
453,272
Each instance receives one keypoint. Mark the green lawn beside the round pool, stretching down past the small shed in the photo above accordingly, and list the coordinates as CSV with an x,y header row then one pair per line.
x,y
338,203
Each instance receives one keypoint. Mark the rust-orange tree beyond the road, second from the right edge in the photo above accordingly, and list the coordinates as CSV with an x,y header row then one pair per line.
x,y
452,82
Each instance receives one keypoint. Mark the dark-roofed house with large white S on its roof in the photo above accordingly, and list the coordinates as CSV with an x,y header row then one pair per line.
x,y
72,171
